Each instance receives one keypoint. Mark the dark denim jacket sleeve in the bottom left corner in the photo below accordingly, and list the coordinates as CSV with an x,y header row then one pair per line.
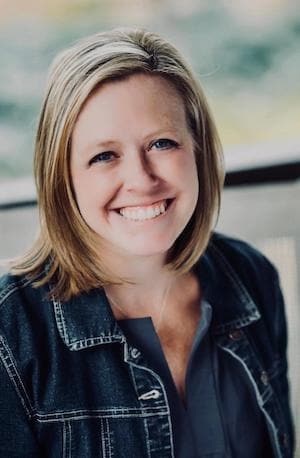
x,y
17,438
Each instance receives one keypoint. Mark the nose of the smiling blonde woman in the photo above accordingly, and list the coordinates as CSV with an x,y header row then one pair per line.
x,y
138,174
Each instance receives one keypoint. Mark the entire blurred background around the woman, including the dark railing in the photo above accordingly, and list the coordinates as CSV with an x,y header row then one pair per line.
x,y
247,56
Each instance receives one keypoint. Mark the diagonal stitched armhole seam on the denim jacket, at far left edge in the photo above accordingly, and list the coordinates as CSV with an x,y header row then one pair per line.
x,y
13,374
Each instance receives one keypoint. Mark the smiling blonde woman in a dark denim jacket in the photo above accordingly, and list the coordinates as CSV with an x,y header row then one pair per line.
x,y
130,329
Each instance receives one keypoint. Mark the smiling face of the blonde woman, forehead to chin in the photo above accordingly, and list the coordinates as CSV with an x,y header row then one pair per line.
x,y
133,168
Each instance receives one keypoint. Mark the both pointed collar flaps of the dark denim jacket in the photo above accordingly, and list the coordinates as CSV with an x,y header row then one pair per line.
x,y
87,320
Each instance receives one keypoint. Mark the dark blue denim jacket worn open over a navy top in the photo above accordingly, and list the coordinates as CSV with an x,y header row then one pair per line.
x,y
71,386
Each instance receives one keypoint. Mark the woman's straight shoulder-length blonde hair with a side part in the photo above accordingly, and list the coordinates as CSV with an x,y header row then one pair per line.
x,y
66,245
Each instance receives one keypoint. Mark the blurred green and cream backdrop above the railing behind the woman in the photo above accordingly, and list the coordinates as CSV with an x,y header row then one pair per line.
x,y
246,54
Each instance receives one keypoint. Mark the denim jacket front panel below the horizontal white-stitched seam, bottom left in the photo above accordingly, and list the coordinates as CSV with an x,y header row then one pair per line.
x,y
91,434
